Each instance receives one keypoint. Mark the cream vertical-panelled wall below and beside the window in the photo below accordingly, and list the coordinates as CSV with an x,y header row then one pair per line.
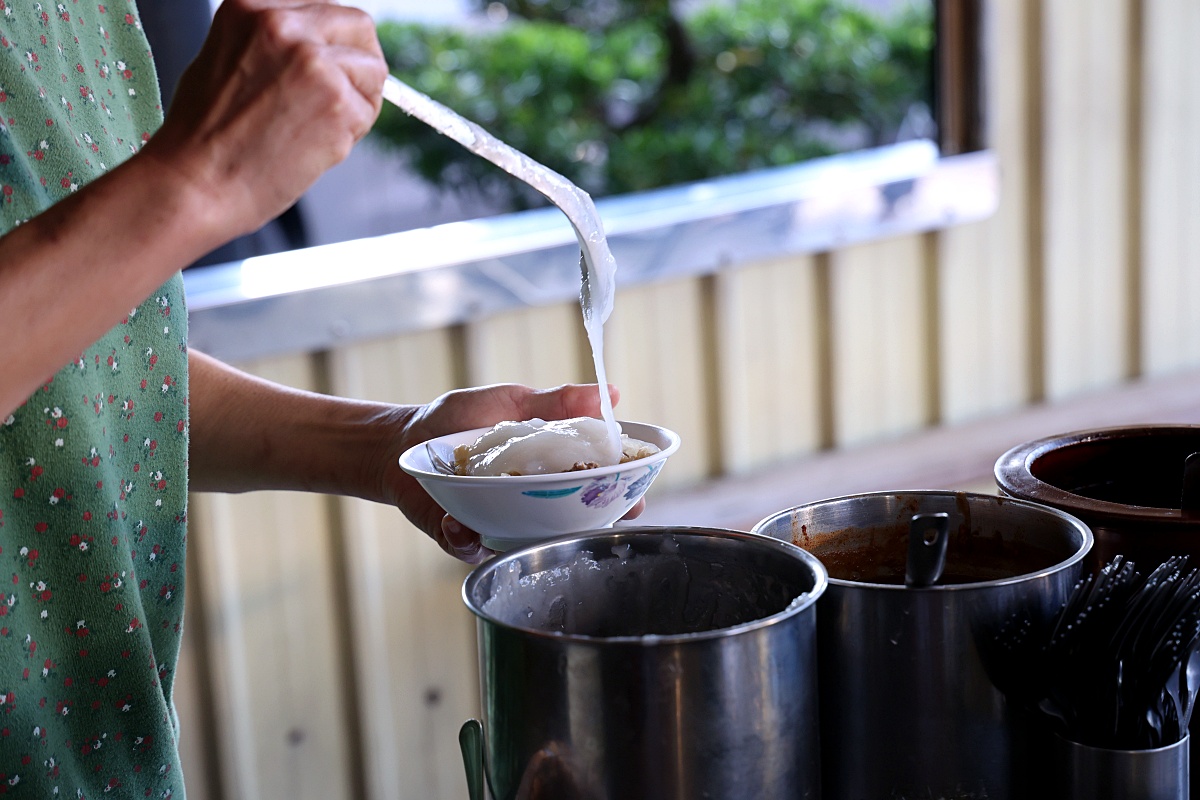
x,y
328,654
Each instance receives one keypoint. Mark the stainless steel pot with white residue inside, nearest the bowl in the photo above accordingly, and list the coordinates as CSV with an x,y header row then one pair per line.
x,y
650,663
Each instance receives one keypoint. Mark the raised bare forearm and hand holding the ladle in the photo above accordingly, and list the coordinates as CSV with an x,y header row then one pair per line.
x,y
279,94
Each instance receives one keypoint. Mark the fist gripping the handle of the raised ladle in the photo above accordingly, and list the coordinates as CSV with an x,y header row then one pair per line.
x,y
280,93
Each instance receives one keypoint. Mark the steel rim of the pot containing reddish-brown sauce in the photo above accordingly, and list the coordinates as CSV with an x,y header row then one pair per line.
x,y
1071,520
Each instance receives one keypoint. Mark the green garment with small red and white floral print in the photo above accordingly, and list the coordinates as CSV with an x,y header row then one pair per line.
x,y
93,467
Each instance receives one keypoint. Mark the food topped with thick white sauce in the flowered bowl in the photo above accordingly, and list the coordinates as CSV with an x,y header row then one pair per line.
x,y
541,448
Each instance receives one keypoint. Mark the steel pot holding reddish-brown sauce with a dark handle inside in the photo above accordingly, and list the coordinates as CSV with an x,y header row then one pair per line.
x,y
910,707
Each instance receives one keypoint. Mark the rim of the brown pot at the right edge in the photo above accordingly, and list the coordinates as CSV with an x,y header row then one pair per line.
x,y
1015,474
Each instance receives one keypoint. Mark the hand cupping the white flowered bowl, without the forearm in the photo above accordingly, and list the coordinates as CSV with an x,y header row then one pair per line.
x,y
464,411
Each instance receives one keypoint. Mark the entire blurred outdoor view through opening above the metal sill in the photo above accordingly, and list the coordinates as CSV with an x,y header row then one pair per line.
x,y
617,95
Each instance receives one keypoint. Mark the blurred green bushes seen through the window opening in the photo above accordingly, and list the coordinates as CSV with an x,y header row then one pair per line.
x,y
631,101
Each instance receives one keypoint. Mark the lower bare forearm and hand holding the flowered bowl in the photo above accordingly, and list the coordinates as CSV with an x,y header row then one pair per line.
x,y
248,434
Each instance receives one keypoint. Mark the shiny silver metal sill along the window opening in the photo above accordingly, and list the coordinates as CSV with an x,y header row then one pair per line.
x,y
319,298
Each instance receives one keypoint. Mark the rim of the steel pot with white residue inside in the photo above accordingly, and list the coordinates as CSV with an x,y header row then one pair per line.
x,y
615,537
